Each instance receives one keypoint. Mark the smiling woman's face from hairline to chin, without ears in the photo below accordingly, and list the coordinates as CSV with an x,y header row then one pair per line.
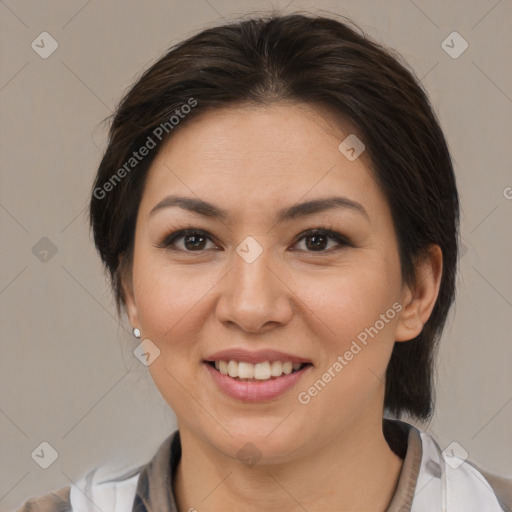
x,y
250,281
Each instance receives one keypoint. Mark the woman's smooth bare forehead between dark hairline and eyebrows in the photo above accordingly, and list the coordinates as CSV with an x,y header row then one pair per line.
x,y
260,158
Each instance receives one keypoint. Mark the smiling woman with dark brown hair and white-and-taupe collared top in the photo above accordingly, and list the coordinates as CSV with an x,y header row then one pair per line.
x,y
228,162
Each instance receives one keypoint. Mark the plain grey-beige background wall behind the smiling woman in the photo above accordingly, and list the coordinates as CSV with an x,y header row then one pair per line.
x,y
68,375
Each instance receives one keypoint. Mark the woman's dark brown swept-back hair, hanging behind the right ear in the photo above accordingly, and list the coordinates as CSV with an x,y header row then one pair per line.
x,y
310,59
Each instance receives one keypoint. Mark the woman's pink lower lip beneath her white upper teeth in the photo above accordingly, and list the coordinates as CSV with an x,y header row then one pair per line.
x,y
254,391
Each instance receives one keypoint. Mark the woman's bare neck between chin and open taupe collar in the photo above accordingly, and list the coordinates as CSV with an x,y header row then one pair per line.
x,y
355,470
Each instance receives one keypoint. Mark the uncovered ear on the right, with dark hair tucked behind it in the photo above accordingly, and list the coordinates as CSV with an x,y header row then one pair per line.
x,y
418,300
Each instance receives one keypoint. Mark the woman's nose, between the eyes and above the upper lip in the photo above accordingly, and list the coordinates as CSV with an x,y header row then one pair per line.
x,y
255,296
